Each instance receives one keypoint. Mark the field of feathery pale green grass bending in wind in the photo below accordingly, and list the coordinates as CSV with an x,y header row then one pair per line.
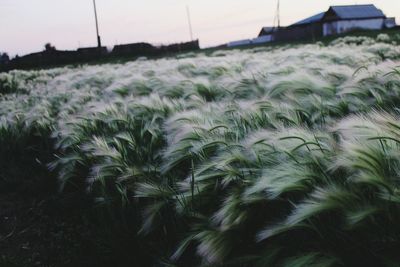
x,y
270,156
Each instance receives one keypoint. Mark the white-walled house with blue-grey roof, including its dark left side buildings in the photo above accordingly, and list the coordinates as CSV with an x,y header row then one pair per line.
x,y
336,20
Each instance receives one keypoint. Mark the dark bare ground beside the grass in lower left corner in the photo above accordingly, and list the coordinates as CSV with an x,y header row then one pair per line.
x,y
41,232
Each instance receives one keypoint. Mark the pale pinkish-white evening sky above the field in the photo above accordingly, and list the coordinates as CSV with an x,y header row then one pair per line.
x,y
26,25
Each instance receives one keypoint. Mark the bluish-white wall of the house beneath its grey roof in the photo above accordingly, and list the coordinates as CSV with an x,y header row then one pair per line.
x,y
337,27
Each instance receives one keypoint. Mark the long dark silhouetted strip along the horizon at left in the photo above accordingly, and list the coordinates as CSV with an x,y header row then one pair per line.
x,y
53,57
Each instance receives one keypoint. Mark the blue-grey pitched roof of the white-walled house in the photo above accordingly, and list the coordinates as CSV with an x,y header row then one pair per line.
x,y
357,12
